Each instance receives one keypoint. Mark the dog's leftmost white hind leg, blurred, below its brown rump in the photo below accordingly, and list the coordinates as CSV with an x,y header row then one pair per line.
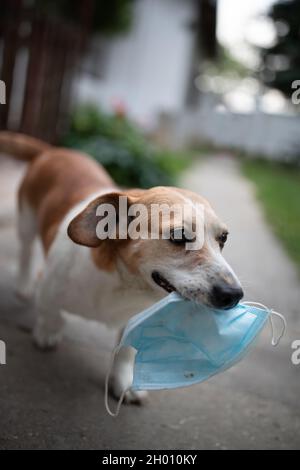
x,y
27,232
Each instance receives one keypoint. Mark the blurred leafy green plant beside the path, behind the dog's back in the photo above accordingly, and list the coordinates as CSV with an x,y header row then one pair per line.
x,y
121,148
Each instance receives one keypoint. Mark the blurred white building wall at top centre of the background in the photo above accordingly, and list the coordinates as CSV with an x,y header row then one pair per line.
x,y
147,68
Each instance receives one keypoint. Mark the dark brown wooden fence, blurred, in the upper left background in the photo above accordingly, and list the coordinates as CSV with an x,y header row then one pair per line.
x,y
39,57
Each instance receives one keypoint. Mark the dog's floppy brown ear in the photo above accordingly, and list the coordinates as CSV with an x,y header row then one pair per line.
x,y
83,228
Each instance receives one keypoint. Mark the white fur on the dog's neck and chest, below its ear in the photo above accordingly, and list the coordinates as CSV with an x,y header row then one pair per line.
x,y
80,287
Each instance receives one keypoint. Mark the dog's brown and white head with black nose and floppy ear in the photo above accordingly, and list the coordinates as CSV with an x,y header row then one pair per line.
x,y
183,254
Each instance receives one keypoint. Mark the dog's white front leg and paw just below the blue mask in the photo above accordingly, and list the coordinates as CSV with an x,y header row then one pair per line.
x,y
122,375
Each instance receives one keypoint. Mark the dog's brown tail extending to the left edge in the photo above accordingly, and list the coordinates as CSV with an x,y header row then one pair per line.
x,y
21,146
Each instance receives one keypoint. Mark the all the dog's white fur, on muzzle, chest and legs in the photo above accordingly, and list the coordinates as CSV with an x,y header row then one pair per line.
x,y
71,282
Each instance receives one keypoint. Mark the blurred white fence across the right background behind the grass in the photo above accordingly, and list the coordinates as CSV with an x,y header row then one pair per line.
x,y
275,136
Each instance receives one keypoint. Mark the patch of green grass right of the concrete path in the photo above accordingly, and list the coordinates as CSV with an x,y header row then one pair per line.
x,y
278,189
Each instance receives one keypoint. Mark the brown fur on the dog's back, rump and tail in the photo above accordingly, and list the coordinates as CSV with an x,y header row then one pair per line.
x,y
55,181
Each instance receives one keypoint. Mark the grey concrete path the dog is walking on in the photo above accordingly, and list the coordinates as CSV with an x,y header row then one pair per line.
x,y
55,400
